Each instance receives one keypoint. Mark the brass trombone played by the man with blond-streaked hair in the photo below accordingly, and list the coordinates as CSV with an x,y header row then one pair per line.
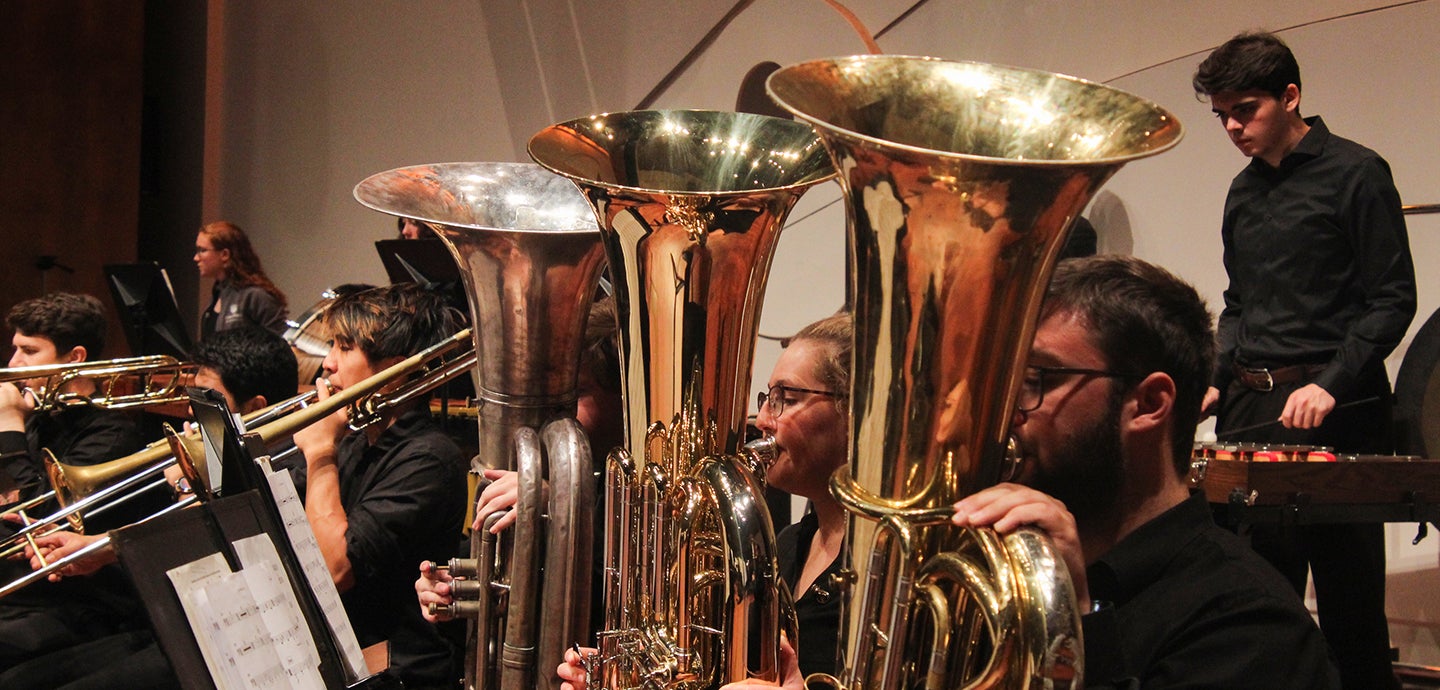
x,y
369,401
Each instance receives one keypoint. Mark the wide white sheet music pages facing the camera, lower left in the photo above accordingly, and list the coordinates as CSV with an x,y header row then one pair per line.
x,y
248,624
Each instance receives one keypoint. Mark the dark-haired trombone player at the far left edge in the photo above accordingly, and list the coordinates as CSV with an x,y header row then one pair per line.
x,y
47,617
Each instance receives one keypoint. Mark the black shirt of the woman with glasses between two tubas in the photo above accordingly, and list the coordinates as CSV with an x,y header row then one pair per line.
x,y
817,610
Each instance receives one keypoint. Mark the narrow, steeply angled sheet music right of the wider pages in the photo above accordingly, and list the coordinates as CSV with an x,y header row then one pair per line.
x,y
303,539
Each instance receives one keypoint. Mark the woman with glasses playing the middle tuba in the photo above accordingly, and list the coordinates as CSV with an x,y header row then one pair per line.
x,y
806,408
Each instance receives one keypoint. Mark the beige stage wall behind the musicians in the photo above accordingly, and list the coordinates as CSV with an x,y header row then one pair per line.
x,y
318,96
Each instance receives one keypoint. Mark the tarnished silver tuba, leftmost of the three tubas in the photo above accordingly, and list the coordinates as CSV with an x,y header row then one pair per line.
x,y
529,256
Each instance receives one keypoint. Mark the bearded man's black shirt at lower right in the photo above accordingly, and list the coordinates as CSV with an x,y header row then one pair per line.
x,y
1187,604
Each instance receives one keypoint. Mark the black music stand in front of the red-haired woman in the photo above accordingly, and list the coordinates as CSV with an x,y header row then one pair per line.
x,y
148,310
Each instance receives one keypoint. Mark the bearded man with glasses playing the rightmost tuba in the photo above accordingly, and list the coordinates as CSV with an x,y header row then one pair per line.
x,y
1107,421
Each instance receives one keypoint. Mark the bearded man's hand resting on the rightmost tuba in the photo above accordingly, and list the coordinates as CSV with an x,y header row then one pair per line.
x,y
1007,508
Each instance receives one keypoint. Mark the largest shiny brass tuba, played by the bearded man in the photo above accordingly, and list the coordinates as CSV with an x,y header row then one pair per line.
x,y
961,184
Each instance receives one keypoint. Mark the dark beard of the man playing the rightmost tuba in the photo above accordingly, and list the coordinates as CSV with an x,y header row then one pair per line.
x,y
1088,472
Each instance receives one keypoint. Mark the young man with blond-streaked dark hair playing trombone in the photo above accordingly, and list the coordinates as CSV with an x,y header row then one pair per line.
x,y
391,495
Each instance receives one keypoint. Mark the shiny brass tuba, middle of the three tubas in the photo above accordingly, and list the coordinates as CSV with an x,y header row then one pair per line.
x,y
690,208
